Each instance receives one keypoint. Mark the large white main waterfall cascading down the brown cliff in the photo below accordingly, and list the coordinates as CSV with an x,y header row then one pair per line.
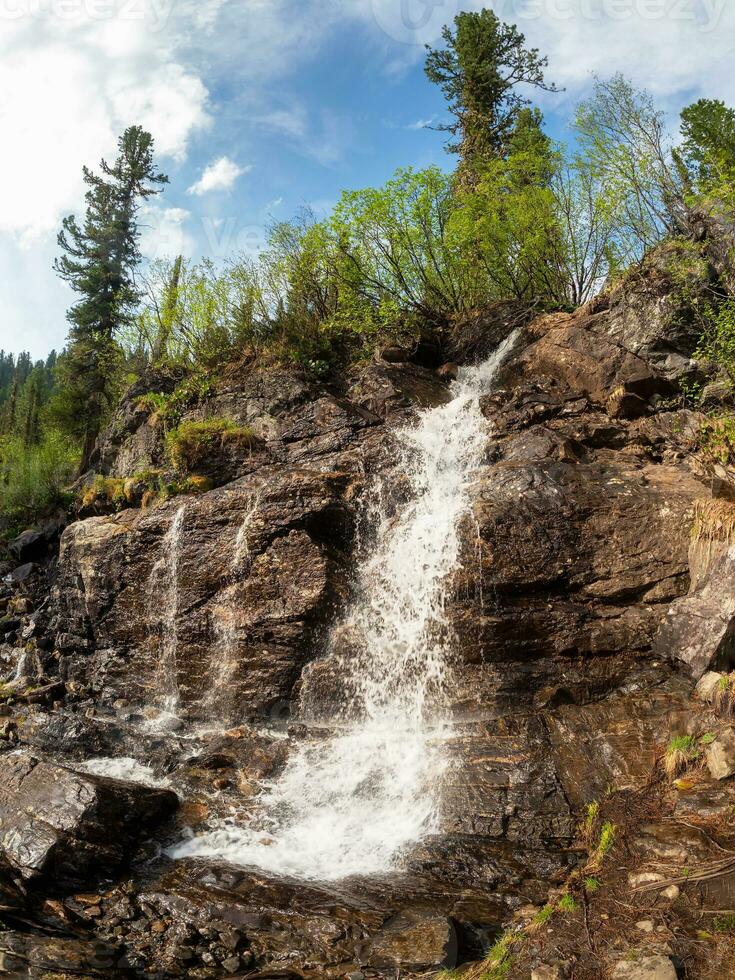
x,y
353,803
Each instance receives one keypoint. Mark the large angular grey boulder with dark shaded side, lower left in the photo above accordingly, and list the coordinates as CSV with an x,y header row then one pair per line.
x,y
71,826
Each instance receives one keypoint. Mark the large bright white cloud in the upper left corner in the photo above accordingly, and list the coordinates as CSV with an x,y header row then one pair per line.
x,y
68,87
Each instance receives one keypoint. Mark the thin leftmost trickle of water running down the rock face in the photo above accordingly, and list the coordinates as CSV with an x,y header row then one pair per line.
x,y
163,605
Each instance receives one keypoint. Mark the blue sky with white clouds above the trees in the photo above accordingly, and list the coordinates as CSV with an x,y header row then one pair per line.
x,y
261,107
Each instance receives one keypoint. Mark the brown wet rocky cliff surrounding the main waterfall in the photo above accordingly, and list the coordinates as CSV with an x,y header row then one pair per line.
x,y
595,590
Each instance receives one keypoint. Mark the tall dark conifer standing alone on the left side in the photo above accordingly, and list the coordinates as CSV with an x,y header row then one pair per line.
x,y
99,263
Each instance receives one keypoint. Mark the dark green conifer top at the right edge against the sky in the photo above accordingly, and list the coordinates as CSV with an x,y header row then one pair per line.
x,y
707,151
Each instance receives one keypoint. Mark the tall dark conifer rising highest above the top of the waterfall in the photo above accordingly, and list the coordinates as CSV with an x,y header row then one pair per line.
x,y
478,70
